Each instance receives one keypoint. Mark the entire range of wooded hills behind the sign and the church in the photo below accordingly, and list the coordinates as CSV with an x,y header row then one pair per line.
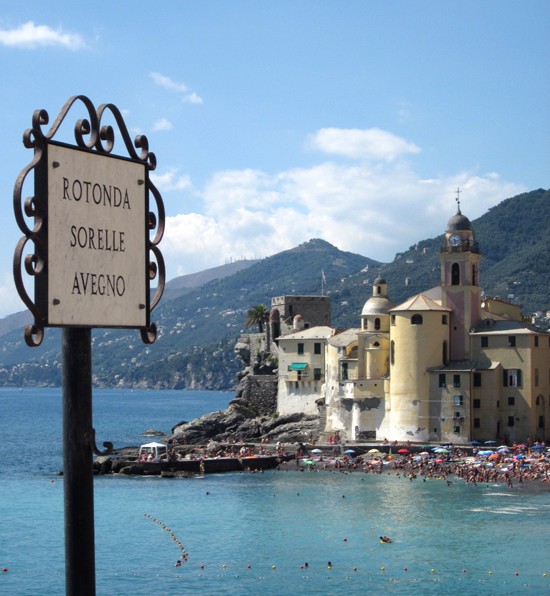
x,y
198,326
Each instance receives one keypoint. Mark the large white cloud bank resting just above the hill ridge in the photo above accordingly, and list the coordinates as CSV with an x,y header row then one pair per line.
x,y
375,210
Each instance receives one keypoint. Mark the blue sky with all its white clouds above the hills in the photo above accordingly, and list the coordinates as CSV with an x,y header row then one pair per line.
x,y
277,122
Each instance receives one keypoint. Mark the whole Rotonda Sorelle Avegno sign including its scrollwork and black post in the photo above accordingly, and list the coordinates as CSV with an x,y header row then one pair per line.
x,y
92,261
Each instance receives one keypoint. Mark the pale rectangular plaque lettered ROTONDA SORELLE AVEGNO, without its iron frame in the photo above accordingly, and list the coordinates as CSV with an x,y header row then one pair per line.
x,y
97,240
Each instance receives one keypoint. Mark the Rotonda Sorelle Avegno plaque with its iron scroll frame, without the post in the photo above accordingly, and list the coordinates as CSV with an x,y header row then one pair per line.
x,y
93,256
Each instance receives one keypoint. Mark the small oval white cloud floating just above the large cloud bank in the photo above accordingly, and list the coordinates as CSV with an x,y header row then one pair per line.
x,y
371,144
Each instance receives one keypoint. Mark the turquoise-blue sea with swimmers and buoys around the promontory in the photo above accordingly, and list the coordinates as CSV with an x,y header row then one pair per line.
x,y
251,534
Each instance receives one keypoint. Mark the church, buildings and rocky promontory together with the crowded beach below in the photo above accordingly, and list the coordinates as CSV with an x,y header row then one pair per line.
x,y
449,382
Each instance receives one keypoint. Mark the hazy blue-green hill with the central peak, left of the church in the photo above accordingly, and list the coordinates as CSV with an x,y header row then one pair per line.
x,y
196,331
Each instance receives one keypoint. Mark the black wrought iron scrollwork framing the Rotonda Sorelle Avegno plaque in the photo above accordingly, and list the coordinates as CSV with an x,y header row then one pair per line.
x,y
92,135
